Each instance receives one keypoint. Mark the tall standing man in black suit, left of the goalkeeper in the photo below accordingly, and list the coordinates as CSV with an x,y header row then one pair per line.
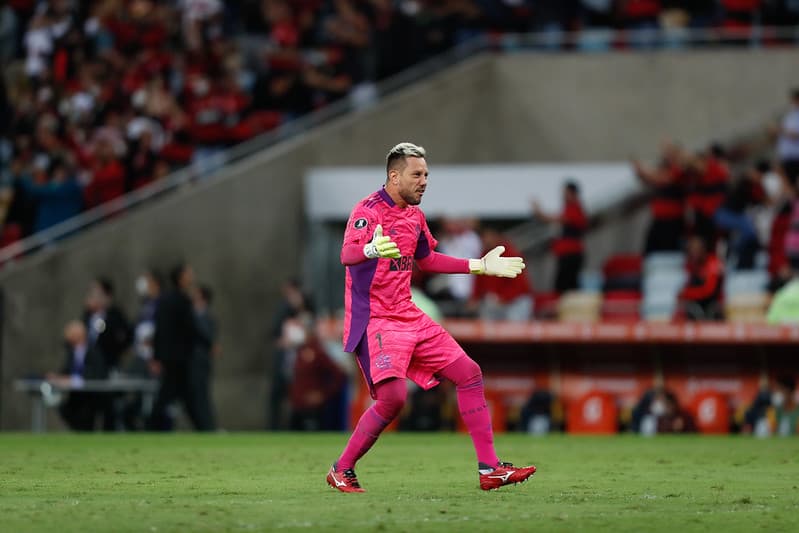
x,y
175,340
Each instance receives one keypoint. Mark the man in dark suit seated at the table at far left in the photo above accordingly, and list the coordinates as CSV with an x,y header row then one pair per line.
x,y
81,362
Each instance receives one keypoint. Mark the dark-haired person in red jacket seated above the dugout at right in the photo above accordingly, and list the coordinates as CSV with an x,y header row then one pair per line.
x,y
700,298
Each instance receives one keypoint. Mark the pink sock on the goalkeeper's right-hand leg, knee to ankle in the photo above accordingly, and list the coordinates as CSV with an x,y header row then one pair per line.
x,y
468,380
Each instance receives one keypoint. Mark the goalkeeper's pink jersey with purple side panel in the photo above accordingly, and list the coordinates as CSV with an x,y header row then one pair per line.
x,y
381,288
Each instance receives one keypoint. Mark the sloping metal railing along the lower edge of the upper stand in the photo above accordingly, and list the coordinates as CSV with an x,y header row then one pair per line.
x,y
587,40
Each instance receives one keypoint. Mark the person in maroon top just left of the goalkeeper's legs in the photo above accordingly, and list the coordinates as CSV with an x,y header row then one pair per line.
x,y
317,380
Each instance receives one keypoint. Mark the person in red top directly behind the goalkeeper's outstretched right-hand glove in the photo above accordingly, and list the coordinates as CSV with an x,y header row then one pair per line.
x,y
501,298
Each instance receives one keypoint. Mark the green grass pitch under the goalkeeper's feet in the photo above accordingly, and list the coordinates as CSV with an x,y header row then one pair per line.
x,y
414,482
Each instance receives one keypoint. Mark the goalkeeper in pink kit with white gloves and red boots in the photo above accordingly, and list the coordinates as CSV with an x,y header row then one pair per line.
x,y
391,338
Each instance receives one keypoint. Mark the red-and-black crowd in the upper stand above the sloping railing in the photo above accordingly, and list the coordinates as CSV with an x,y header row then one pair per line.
x,y
100,98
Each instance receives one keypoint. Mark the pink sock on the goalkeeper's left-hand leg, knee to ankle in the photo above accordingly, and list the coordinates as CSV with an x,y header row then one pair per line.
x,y
390,399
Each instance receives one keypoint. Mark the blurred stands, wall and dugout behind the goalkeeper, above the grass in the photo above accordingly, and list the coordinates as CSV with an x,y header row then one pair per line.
x,y
175,178
